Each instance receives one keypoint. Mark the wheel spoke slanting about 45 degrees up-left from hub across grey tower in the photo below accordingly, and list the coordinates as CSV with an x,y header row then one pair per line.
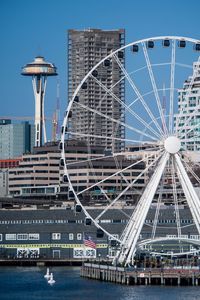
x,y
127,108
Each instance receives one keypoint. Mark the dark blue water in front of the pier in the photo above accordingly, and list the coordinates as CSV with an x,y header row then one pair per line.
x,y
28,283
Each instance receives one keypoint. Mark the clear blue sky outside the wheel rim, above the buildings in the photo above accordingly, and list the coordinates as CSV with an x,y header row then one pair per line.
x,y
39,27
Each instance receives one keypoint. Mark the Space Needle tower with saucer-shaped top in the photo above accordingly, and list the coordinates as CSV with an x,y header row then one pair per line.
x,y
39,69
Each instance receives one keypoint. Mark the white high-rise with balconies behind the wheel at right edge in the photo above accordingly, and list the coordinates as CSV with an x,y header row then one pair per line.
x,y
187,120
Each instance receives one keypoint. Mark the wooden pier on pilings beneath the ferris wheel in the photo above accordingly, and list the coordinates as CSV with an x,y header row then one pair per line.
x,y
150,276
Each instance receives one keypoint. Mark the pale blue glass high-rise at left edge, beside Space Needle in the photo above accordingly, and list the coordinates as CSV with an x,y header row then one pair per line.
x,y
15,139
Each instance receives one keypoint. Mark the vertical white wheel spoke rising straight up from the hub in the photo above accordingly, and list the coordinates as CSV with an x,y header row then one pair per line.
x,y
171,106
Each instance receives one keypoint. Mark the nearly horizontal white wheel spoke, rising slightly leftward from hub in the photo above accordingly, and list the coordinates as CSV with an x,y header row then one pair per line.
x,y
109,138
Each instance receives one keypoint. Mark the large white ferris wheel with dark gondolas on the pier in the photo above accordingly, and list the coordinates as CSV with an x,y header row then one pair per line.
x,y
139,122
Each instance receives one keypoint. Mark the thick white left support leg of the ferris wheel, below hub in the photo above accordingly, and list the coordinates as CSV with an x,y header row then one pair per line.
x,y
138,217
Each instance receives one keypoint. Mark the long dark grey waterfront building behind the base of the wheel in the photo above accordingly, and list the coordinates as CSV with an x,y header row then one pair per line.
x,y
58,234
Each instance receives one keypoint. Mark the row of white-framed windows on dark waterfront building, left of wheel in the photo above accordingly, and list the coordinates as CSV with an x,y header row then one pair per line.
x,y
36,236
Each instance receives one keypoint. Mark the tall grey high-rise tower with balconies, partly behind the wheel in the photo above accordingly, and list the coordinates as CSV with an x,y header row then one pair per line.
x,y
85,49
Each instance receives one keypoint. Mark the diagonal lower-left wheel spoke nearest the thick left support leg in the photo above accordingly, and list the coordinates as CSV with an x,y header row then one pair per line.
x,y
128,187
